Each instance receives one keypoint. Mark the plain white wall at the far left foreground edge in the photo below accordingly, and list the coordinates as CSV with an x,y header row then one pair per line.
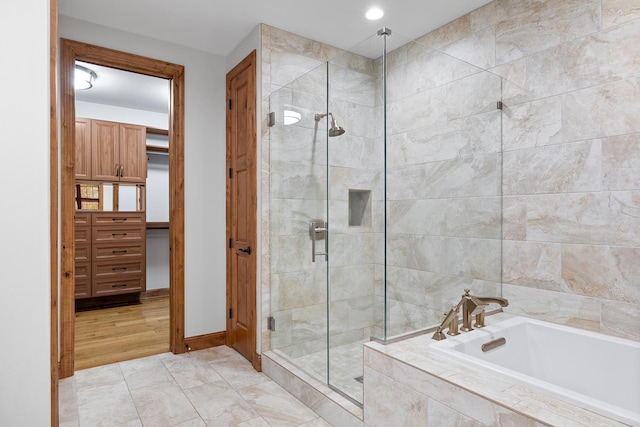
x,y
25,397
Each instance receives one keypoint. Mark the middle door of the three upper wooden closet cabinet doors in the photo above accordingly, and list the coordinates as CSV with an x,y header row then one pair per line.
x,y
105,148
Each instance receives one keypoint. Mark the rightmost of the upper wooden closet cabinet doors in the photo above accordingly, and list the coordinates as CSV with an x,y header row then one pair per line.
x,y
133,153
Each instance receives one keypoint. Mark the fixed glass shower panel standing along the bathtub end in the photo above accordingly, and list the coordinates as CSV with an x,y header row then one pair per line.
x,y
443,174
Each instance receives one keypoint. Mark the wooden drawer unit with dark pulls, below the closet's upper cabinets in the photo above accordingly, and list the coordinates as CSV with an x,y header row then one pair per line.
x,y
110,253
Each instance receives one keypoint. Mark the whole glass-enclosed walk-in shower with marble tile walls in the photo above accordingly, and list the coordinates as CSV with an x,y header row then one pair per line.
x,y
385,200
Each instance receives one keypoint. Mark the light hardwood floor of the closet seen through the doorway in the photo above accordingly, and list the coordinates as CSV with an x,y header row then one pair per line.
x,y
121,333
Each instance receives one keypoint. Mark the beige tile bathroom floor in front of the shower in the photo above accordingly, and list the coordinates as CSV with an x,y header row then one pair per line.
x,y
213,387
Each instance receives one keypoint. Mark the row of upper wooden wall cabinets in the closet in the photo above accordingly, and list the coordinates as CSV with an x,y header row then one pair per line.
x,y
110,151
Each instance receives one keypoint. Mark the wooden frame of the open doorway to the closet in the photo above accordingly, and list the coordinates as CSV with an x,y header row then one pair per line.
x,y
70,51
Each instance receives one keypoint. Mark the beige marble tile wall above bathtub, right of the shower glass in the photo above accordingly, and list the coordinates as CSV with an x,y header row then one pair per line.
x,y
571,132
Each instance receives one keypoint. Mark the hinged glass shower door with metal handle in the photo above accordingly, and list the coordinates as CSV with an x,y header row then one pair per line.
x,y
298,196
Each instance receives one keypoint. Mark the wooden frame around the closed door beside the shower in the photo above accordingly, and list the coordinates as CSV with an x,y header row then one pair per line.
x,y
249,62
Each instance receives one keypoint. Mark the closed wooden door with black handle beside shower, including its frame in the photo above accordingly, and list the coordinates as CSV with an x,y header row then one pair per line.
x,y
241,209
